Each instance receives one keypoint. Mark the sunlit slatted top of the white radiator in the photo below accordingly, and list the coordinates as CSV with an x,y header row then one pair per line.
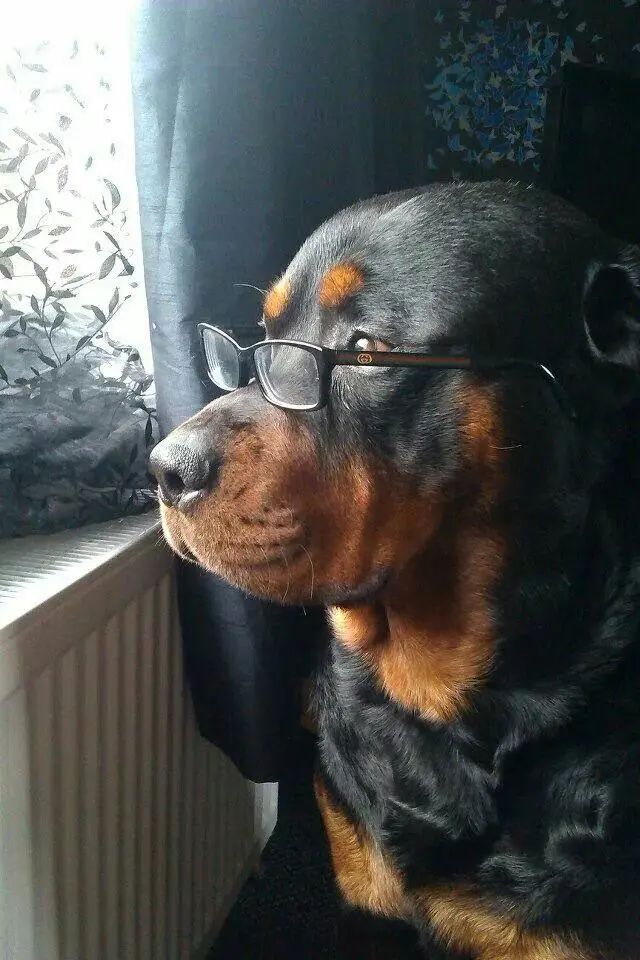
x,y
38,573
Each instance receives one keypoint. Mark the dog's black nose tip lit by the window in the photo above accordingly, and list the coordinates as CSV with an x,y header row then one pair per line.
x,y
181,469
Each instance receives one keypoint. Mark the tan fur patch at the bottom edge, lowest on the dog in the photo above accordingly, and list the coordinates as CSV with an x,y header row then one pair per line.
x,y
463,922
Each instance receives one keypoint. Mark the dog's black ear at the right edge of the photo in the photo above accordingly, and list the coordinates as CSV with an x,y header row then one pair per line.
x,y
611,306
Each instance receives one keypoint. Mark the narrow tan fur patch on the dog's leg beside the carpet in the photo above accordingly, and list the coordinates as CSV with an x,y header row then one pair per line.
x,y
365,876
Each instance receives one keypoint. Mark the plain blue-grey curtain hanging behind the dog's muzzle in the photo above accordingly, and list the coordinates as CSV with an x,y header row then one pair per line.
x,y
254,122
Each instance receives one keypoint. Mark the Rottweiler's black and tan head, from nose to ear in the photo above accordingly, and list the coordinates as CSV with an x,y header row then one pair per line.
x,y
331,505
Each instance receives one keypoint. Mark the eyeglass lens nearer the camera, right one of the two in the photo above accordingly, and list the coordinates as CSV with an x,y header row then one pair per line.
x,y
289,375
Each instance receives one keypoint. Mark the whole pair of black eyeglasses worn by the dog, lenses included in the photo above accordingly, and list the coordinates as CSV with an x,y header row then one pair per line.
x,y
297,376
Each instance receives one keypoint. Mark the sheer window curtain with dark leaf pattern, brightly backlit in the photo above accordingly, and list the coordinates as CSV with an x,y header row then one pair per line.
x,y
77,408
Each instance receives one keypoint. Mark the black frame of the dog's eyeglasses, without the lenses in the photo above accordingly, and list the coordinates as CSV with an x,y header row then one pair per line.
x,y
327,359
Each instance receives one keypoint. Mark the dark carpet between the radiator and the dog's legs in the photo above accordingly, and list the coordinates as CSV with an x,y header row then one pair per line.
x,y
291,909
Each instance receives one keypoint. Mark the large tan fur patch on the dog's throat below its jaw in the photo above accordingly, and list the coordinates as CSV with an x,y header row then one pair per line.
x,y
429,636
